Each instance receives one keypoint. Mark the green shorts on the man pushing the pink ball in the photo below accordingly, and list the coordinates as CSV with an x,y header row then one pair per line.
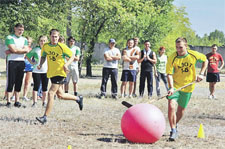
x,y
182,98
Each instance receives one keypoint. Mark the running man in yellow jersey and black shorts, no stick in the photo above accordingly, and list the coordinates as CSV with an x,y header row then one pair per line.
x,y
57,69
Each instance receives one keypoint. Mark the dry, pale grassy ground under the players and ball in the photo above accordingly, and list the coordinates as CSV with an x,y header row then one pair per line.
x,y
98,125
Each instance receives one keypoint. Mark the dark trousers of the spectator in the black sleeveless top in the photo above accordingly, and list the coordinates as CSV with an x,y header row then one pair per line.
x,y
143,76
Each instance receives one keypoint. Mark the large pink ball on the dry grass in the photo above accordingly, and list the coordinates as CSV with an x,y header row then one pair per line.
x,y
143,123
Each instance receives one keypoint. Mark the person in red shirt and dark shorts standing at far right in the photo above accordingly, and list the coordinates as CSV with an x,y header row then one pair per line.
x,y
213,73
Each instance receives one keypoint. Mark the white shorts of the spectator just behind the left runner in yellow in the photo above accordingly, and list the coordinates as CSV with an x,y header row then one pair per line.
x,y
73,73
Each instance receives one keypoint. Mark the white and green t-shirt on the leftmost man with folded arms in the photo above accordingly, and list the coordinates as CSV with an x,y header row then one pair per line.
x,y
19,42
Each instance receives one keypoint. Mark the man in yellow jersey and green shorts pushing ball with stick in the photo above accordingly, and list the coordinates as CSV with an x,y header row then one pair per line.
x,y
180,71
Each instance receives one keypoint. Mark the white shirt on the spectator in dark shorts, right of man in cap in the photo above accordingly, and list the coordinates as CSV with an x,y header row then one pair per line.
x,y
130,65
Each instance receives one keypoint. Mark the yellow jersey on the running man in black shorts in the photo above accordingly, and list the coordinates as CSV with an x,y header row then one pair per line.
x,y
56,58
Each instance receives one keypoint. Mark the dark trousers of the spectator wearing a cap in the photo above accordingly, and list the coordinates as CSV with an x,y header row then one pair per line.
x,y
106,72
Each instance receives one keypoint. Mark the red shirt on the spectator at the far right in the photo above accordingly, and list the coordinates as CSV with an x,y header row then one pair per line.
x,y
213,62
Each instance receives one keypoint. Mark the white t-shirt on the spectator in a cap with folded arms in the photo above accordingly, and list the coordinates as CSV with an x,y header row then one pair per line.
x,y
111,52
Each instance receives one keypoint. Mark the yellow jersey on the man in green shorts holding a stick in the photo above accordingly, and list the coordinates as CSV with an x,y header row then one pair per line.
x,y
182,68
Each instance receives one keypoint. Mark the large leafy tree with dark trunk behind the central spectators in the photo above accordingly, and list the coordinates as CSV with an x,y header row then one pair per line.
x,y
100,20
